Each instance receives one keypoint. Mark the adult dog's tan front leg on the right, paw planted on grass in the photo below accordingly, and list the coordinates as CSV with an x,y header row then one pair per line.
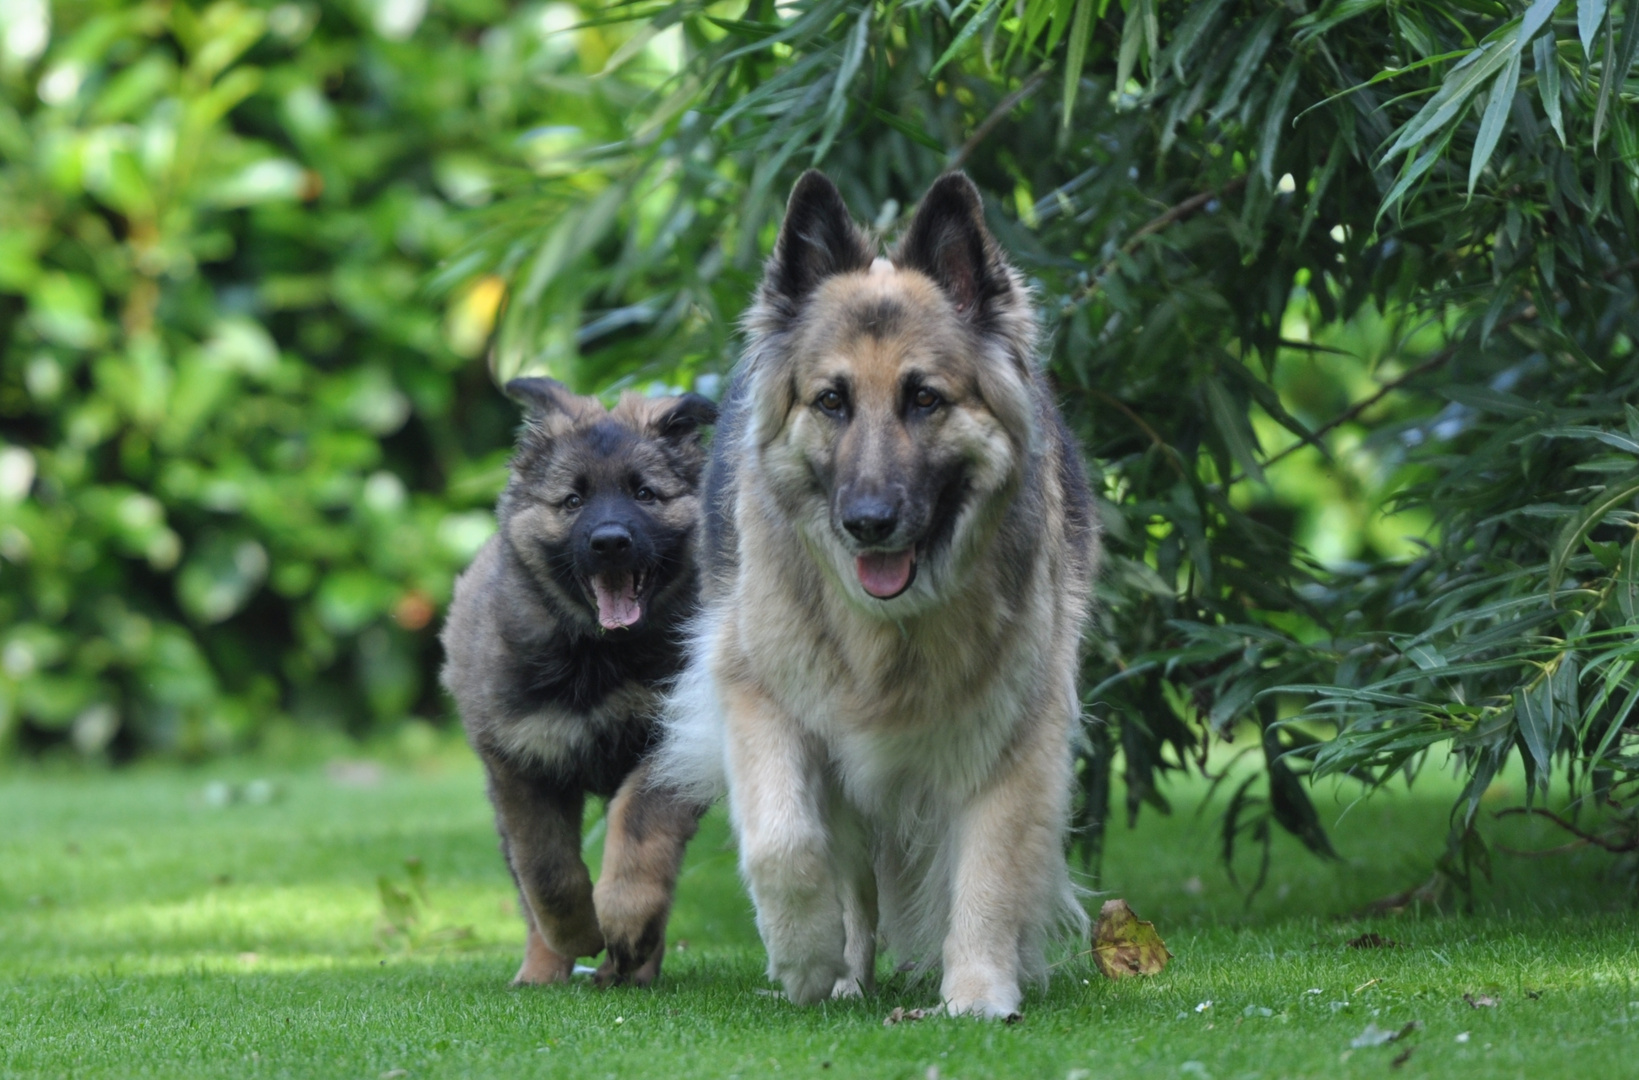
x,y
1009,846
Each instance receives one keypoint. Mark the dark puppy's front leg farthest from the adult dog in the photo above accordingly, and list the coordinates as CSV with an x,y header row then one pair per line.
x,y
540,832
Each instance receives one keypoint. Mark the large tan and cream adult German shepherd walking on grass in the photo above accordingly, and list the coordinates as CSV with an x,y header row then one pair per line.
x,y
899,555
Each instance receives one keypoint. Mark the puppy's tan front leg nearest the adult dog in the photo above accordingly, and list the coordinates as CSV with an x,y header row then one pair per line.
x,y
643,850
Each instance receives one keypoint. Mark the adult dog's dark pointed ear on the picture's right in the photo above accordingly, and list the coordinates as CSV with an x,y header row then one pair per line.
x,y
950,243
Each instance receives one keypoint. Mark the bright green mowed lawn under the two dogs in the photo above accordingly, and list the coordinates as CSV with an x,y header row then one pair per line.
x,y
230,922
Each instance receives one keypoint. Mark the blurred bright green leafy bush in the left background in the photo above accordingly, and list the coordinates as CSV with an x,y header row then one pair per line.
x,y
248,437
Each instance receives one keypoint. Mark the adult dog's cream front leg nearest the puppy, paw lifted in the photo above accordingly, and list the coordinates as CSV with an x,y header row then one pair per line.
x,y
778,807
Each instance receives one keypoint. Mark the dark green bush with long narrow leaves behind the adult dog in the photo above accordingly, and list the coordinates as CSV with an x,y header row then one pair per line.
x,y
1299,265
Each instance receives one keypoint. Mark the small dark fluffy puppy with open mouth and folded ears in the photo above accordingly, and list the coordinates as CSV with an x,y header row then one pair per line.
x,y
558,643
